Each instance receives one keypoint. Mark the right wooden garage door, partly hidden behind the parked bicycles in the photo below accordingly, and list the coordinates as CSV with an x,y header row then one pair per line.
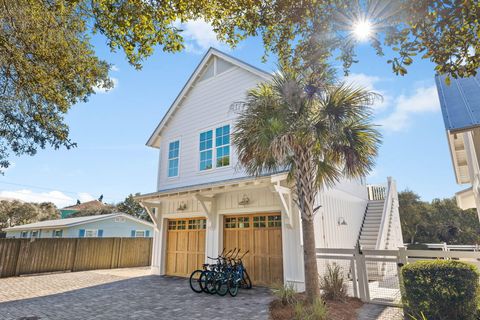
x,y
262,235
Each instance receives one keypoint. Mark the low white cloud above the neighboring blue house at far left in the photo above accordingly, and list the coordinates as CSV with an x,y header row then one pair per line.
x,y
59,198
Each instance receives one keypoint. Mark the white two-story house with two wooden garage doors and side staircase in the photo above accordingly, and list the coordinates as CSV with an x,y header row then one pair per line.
x,y
204,202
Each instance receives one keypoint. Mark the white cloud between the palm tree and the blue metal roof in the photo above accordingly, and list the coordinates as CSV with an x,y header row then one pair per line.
x,y
423,100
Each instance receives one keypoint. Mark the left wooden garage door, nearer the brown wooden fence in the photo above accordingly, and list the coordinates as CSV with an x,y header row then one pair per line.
x,y
185,246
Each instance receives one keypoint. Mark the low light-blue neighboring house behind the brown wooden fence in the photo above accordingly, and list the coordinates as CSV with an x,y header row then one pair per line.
x,y
106,225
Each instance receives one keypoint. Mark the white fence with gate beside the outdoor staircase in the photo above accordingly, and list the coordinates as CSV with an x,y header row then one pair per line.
x,y
384,286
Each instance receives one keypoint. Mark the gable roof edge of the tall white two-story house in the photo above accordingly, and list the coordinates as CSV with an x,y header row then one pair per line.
x,y
152,141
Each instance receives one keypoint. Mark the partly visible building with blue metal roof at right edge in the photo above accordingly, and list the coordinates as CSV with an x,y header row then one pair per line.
x,y
460,104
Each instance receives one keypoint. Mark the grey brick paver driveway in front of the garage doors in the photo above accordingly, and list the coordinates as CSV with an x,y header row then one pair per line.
x,y
121,294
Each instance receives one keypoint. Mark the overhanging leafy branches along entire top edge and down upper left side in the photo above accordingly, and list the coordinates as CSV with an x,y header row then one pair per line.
x,y
47,62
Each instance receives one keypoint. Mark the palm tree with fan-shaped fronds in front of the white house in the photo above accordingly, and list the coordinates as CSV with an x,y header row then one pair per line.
x,y
318,134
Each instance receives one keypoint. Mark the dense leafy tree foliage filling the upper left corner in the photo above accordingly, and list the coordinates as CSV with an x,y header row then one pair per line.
x,y
47,64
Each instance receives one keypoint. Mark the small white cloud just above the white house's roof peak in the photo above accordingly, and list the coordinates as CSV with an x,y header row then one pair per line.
x,y
199,36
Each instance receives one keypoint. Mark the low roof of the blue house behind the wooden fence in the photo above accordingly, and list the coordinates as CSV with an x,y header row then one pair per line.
x,y
70,222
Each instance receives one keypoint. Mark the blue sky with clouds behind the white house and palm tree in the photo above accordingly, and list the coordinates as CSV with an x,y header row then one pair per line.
x,y
112,127
